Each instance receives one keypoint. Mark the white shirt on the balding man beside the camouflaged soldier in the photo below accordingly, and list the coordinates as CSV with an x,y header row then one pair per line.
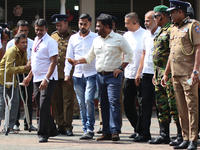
x,y
148,46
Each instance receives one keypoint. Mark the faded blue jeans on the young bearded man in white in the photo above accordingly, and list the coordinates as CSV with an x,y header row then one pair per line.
x,y
85,88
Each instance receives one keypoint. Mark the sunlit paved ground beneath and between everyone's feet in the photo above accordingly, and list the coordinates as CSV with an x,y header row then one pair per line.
x,y
28,140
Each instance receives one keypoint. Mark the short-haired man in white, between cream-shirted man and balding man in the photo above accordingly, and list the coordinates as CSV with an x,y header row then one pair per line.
x,y
130,90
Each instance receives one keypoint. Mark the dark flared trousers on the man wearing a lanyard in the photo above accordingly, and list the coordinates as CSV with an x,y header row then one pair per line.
x,y
46,125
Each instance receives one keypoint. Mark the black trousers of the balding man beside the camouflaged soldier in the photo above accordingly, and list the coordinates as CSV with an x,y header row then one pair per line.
x,y
148,95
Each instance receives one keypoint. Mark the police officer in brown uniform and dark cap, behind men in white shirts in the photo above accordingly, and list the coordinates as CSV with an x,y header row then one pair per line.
x,y
63,97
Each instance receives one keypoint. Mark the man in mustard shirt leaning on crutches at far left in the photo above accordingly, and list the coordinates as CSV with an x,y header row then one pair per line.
x,y
18,55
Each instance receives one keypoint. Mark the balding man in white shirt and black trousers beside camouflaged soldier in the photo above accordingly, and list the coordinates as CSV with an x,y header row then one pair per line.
x,y
146,67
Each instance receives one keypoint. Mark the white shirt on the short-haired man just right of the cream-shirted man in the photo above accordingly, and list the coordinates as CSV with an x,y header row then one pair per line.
x,y
135,41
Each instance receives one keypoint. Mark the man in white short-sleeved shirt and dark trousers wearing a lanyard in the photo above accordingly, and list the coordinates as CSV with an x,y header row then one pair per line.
x,y
45,76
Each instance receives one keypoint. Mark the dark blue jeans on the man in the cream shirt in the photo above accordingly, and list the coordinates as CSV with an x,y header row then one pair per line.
x,y
109,94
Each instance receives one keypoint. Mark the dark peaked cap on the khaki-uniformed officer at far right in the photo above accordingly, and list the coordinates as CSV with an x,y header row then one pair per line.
x,y
174,4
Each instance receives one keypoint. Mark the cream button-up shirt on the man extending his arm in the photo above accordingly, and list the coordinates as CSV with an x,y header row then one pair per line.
x,y
109,52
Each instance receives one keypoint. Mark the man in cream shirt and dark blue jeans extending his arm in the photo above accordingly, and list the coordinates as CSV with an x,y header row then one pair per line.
x,y
108,49
